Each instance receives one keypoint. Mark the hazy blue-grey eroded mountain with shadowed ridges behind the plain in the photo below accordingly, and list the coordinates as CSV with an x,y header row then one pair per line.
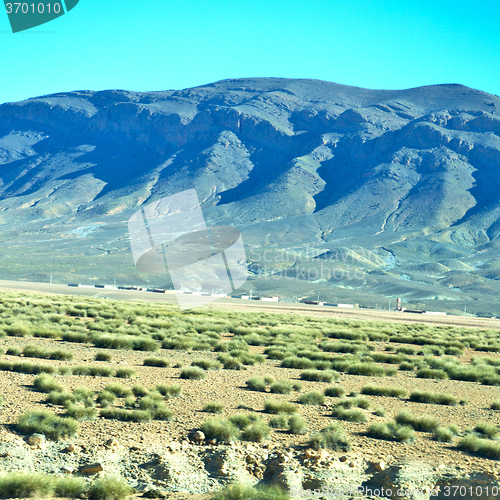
x,y
290,162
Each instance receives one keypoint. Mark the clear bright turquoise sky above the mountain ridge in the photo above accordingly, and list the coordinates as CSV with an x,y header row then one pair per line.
x,y
166,44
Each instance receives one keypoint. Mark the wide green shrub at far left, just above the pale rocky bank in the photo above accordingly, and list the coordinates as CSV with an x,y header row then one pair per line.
x,y
44,422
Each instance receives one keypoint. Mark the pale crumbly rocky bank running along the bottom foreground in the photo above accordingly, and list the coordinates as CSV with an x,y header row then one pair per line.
x,y
200,468
